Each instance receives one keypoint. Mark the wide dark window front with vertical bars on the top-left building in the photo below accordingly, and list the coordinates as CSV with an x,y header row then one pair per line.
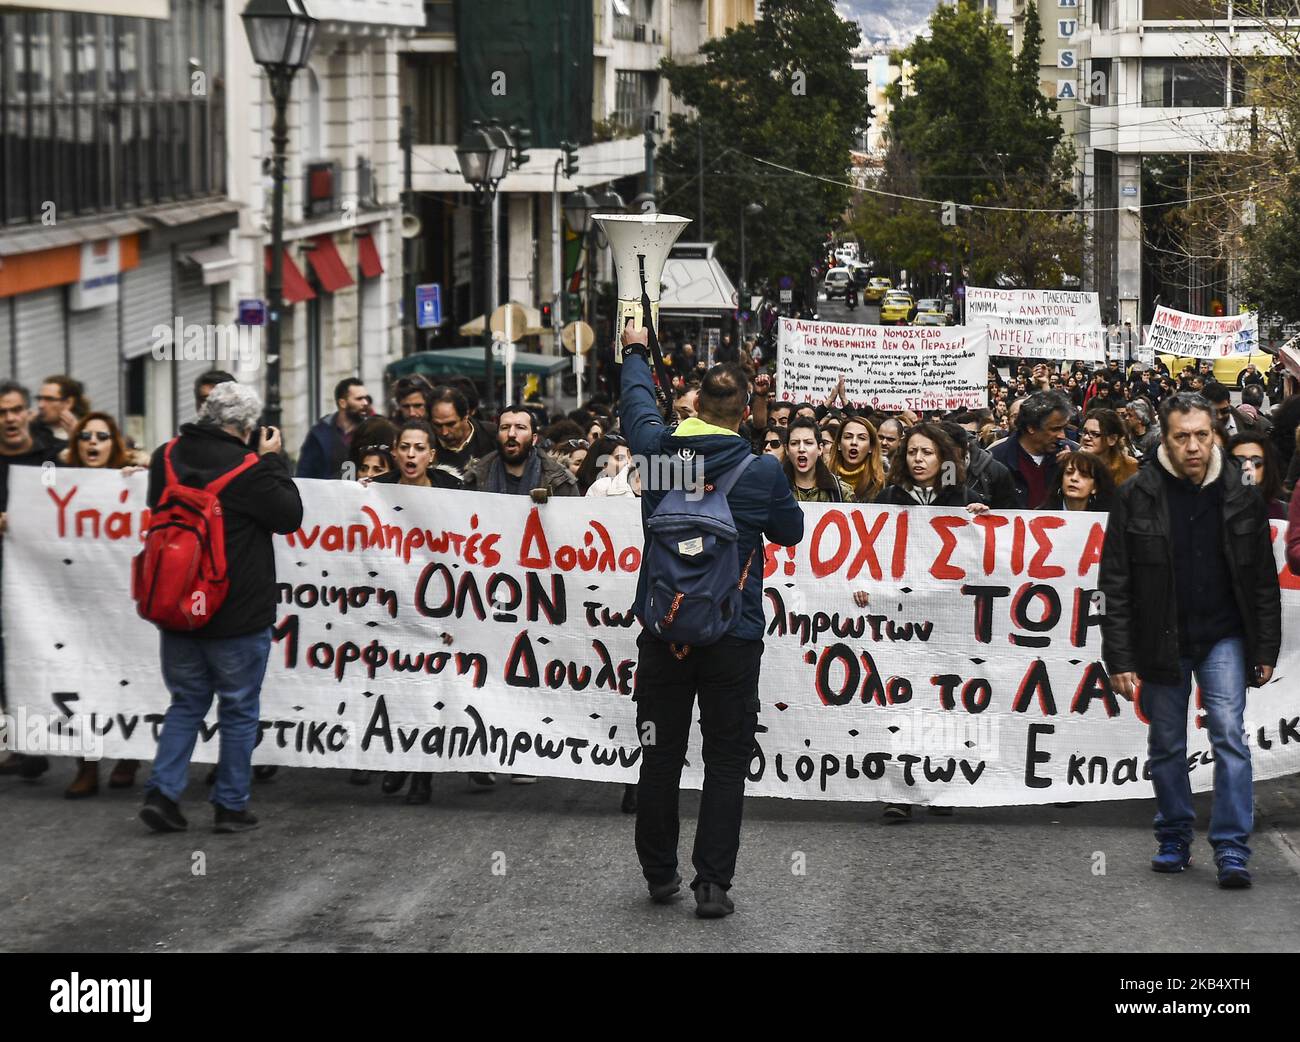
x,y
105,114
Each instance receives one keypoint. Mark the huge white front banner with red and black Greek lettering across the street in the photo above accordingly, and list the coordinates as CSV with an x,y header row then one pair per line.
x,y
436,631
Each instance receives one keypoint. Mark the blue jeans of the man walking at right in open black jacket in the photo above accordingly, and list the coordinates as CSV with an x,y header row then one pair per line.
x,y
1221,674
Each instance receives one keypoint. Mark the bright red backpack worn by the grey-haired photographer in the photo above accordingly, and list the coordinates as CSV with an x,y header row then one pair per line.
x,y
180,580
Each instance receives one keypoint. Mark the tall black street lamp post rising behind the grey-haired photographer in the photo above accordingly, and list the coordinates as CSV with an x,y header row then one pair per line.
x,y
281,34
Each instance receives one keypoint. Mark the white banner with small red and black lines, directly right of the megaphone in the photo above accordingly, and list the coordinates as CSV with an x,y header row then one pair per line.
x,y
891,368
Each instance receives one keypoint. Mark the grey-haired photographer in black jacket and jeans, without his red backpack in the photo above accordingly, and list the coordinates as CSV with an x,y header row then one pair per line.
x,y
227,657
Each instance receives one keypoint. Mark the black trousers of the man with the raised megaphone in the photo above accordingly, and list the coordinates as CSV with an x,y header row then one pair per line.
x,y
726,679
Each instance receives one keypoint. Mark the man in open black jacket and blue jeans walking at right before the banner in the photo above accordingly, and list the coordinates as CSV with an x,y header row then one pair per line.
x,y
1190,587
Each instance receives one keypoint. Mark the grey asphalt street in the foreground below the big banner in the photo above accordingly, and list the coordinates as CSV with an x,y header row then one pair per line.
x,y
339,867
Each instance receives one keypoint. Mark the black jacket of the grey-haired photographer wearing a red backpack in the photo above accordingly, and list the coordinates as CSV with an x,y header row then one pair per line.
x,y
258,503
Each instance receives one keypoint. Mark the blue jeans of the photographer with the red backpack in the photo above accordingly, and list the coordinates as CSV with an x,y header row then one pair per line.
x,y
194,670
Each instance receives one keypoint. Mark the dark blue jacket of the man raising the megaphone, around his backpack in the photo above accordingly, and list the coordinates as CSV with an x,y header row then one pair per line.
x,y
761,502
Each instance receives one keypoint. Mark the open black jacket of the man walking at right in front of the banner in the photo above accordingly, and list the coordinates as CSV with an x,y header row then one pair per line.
x,y
1139,629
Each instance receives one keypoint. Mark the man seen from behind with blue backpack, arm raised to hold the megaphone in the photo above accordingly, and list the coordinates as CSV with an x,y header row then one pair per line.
x,y
700,601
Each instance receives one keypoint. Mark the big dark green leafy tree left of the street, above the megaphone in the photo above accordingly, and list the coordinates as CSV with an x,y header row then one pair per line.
x,y
785,90
